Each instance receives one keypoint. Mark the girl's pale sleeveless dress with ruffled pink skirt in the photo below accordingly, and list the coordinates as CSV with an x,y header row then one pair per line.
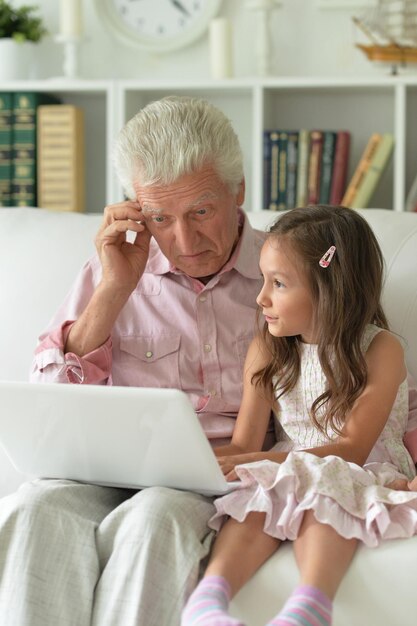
x,y
352,499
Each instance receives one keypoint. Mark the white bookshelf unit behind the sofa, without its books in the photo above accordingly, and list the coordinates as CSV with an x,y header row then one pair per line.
x,y
360,105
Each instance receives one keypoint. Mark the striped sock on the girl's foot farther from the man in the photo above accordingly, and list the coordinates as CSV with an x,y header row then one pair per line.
x,y
307,606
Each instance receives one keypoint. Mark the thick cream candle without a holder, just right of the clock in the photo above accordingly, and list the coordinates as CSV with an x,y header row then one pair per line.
x,y
221,54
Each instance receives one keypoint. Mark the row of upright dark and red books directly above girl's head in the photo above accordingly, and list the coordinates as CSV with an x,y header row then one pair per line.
x,y
304,167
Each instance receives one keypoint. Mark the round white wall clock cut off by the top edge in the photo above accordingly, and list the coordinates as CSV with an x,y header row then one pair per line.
x,y
157,25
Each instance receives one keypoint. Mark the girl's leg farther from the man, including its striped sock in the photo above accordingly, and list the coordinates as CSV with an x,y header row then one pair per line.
x,y
323,558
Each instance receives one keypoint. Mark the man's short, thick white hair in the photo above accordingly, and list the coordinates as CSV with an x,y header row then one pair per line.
x,y
174,136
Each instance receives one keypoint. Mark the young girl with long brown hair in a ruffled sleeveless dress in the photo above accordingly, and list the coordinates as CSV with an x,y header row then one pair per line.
x,y
336,379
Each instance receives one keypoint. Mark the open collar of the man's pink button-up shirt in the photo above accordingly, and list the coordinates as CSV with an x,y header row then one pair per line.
x,y
245,257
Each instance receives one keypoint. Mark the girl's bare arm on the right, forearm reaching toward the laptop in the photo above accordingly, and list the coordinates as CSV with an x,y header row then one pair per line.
x,y
368,416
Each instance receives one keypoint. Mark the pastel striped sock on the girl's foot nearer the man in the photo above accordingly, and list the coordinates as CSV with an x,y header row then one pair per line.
x,y
208,604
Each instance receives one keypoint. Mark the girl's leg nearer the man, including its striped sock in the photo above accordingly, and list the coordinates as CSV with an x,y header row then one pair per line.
x,y
239,550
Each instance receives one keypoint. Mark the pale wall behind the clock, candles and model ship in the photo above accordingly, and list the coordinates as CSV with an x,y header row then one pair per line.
x,y
308,41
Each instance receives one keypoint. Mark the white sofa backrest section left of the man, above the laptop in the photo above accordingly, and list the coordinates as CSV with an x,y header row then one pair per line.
x,y
40,255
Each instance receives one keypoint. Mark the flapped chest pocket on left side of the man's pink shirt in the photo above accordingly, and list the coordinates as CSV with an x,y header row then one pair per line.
x,y
153,360
